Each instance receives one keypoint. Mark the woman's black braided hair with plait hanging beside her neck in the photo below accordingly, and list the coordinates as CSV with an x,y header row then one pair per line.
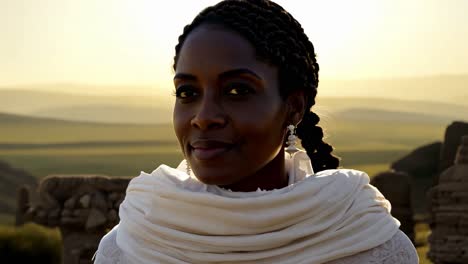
x,y
278,39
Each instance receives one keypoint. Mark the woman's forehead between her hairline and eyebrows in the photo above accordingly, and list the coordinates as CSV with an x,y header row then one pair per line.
x,y
210,49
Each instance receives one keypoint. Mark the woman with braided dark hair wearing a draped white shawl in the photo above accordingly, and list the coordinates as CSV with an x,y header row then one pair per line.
x,y
245,80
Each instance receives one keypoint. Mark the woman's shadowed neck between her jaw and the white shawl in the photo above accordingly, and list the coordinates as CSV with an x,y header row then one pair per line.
x,y
272,176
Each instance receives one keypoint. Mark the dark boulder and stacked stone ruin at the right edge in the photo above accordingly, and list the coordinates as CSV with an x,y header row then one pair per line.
x,y
431,199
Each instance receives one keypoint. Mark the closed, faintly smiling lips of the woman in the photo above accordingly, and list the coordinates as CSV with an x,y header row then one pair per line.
x,y
207,149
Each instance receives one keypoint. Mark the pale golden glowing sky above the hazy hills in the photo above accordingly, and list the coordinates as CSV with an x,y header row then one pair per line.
x,y
132,41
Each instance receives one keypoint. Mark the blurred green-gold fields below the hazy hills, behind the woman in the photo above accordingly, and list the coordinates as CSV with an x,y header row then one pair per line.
x,y
126,149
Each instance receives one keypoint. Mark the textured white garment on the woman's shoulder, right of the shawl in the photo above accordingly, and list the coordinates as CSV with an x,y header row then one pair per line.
x,y
398,250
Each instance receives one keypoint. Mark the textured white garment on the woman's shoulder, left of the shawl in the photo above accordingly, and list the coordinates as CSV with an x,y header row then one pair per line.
x,y
108,251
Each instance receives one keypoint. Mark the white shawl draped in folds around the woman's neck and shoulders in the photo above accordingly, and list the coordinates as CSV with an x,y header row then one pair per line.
x,y
169,217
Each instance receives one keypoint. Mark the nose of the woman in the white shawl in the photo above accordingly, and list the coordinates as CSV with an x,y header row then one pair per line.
x,y
209,115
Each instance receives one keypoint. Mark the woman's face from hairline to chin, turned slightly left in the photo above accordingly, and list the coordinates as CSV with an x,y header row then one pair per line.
x,y
229,117
